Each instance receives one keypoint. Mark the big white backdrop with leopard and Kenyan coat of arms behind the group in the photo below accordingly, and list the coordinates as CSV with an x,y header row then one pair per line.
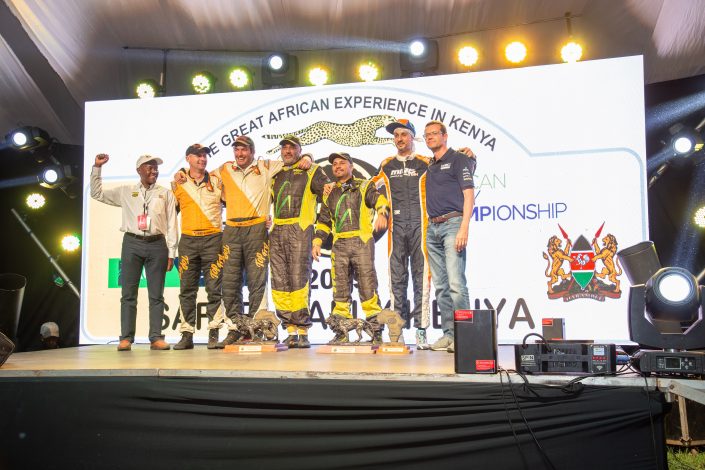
x,y
561,159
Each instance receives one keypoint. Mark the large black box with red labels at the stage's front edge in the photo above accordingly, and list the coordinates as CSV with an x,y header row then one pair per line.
x,y
475,341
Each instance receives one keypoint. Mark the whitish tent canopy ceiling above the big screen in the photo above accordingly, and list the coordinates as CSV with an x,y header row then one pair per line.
x,y
58,54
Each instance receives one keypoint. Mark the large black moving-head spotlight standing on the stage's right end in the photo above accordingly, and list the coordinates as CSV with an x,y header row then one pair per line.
x,y
665,312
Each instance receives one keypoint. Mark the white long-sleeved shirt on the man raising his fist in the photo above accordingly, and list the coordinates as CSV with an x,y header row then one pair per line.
x,y
156,201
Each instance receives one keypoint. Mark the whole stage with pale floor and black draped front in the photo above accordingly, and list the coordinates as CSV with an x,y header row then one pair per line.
x,y
94,407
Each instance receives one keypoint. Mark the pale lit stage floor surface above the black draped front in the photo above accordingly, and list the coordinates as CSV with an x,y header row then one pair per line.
x,y
106,361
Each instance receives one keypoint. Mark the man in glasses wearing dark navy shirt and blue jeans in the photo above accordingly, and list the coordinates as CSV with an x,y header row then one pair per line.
x,y
450,197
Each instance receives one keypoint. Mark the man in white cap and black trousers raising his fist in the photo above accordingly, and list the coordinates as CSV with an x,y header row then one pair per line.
x,y
149,223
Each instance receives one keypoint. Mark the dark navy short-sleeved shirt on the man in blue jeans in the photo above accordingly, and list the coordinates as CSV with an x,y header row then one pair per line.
x,y
446,179
